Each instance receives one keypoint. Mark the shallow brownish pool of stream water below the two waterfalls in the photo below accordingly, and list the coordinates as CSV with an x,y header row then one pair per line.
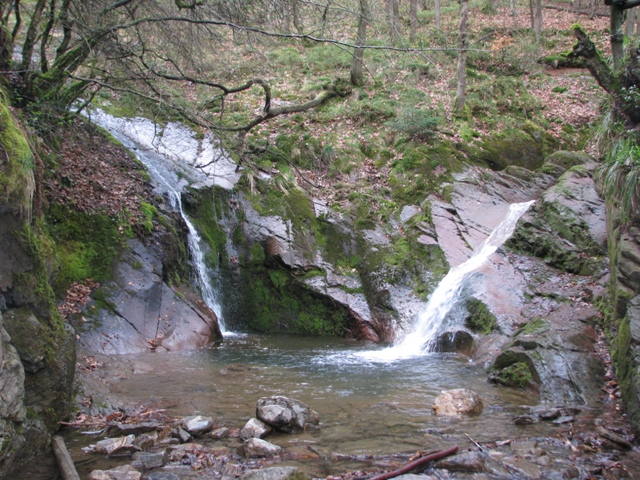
x,y
366,408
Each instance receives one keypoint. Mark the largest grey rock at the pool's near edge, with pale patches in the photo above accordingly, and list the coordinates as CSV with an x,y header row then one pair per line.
x,y
286,414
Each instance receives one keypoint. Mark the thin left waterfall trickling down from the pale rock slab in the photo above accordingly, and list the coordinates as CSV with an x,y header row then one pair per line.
x,y
139,136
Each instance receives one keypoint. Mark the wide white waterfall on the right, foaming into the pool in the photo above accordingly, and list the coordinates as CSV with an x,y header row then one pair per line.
x,y
429,323
